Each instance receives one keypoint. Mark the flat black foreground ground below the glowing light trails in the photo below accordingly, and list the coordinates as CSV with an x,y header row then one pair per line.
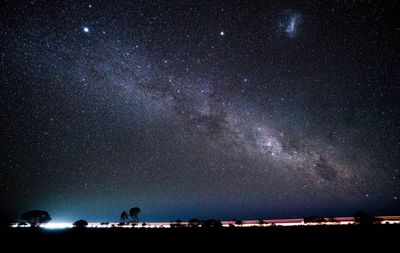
x,y
311,237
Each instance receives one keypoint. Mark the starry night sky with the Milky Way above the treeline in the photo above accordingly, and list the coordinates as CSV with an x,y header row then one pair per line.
x,y
207,109
